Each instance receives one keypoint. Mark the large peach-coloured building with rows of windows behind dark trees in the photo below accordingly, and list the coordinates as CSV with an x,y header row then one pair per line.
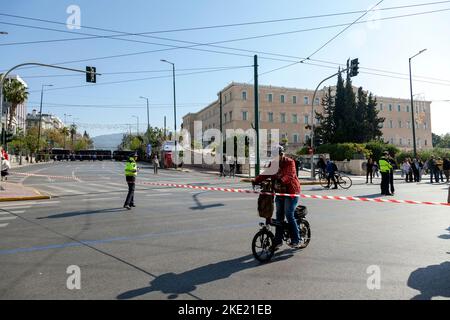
x,y
289,111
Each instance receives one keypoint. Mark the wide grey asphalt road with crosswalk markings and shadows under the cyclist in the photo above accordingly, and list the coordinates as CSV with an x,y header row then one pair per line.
x,y
188,244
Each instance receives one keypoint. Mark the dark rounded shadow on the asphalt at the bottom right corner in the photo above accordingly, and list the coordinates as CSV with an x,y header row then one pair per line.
x,y
432,281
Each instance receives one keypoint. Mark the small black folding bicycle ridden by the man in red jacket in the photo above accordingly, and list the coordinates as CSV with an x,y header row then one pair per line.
x,y
263,247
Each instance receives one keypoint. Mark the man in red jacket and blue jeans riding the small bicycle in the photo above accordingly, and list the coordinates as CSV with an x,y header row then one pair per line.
x,y
286,181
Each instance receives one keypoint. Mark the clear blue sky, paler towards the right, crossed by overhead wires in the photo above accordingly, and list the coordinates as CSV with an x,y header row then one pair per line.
x,y
113,105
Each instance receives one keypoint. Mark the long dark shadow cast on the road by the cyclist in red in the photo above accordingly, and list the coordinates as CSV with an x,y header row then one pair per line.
x,y
175,284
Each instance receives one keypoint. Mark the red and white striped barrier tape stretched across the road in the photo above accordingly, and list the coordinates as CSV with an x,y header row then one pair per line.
x,y
306,196
